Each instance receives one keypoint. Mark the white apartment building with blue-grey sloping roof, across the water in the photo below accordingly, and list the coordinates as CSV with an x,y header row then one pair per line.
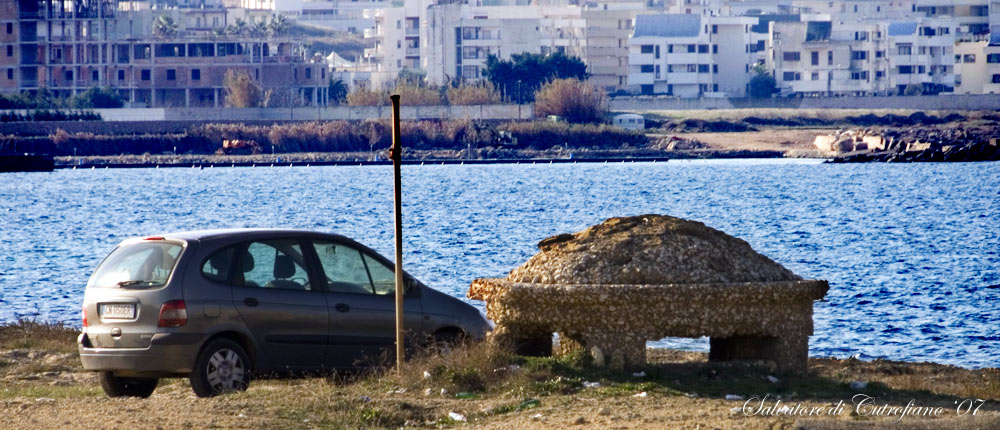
x,y
690,55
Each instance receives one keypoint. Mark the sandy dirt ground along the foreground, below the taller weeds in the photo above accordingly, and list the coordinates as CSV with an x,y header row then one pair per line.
x,y
44,389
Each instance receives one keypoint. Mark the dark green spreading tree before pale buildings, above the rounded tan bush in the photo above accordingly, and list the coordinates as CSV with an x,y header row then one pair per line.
x,y
519,78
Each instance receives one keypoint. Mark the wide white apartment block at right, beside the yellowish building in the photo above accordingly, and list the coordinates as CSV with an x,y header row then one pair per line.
x,y
820,57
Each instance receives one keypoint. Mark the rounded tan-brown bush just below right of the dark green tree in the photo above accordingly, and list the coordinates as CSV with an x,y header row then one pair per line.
x,y
574,100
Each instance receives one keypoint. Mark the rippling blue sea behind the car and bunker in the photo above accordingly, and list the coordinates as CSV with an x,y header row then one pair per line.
x,y
911,251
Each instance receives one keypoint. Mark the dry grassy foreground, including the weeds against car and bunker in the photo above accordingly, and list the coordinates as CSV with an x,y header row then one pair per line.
x,y
490,388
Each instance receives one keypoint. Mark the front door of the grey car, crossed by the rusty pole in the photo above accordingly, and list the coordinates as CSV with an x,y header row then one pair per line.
x,y
360,291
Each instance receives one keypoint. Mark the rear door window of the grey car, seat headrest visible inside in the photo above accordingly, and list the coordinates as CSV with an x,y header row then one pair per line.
x,y
274,264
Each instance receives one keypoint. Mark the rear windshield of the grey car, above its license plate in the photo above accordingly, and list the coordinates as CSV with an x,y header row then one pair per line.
x,y
139,265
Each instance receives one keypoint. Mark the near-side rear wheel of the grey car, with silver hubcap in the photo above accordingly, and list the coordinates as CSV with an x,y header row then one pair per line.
x,y
221,367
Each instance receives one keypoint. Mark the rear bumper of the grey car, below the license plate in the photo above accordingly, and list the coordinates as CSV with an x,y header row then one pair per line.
x,y
168,353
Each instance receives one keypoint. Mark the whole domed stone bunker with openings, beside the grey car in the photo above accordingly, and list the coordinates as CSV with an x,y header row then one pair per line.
x,y
611,287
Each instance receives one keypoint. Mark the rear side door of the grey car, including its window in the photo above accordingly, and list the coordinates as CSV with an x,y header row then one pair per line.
x,y
280,304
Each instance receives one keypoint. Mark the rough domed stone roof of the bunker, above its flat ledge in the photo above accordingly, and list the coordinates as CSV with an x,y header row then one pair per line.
x,y
648,249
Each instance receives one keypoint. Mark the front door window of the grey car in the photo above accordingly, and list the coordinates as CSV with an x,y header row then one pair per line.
x,y
343,267
